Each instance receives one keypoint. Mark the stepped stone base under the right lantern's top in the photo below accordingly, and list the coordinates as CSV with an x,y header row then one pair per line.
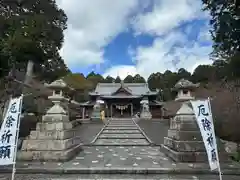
x,y
184,141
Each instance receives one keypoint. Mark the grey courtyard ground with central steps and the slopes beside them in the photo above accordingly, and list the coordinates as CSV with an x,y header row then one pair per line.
x,y
121,149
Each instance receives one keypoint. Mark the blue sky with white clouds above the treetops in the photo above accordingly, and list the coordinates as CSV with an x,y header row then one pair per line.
x,y
128,37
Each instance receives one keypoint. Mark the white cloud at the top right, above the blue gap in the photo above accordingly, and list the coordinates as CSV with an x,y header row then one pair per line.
x,y
166,15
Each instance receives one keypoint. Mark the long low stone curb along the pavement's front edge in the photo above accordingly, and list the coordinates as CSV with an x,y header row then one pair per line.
x,y
29,170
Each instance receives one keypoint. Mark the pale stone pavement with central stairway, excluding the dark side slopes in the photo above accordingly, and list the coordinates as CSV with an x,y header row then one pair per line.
x,y
121,147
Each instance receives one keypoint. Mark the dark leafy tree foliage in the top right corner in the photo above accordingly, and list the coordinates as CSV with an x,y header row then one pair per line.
x,y
225,23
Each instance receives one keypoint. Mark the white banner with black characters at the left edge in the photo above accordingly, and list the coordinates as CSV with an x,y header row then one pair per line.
x,y
9,131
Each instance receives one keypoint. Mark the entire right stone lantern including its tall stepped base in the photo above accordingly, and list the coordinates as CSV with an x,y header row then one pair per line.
x,y
184,142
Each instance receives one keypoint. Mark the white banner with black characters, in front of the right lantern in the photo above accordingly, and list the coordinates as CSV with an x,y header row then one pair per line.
x,y
204,119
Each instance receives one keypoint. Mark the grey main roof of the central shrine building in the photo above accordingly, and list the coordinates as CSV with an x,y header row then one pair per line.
x,y
136,89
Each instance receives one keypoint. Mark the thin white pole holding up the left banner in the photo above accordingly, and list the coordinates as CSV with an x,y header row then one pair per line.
x,y
17,135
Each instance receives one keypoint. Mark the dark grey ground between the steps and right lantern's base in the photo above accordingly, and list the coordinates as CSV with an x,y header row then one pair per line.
x,y
156,130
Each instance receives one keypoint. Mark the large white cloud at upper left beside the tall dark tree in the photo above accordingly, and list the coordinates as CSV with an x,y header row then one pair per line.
x,y
91,26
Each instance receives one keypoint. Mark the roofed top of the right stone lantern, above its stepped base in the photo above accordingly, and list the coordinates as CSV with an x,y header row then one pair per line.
x,y
184,89
